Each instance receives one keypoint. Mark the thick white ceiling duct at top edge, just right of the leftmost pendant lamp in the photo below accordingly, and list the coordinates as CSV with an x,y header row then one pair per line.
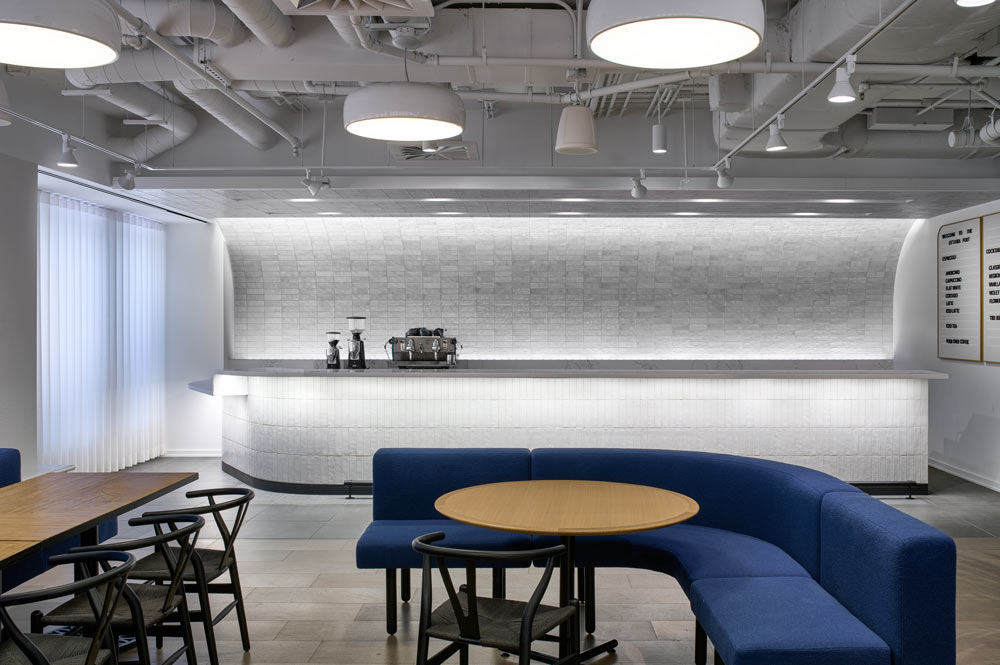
x,y
205,19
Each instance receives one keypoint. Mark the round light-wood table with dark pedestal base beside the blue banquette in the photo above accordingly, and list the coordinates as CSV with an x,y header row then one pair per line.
x,y
567,508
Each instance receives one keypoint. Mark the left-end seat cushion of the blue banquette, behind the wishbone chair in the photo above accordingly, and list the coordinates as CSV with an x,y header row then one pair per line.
x,y
387,543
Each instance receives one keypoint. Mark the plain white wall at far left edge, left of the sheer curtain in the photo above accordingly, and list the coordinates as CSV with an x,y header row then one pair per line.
x,y
18,277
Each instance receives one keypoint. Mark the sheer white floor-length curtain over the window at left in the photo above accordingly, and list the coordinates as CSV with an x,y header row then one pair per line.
x,y
101,328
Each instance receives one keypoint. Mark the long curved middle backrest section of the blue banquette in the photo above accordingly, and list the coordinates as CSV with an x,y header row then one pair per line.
x,y
772,501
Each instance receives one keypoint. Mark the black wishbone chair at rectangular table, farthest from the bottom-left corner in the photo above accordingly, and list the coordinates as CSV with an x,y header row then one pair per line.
x,y
207,565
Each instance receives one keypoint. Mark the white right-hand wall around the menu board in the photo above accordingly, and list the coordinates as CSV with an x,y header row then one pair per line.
x,y
964,410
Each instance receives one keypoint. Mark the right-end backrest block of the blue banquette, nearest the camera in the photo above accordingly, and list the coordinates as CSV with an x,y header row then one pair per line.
x,y
895,573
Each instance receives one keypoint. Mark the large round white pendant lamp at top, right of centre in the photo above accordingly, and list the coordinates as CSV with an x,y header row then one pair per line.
x,y
674,34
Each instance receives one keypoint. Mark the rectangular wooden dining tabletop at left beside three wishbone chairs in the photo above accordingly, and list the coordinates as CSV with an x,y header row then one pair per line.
x,y
47,509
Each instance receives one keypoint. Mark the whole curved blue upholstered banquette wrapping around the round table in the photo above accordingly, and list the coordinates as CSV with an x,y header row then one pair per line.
x,y
782,565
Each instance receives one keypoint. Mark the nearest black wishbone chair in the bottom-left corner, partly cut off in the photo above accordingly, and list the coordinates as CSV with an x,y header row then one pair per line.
x,y
101,593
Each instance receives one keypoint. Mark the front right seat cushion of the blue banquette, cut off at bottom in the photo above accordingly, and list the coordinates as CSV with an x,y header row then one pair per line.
x,y
782,621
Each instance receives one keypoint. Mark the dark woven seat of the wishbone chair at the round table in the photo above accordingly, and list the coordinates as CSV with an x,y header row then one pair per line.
x,y
499,621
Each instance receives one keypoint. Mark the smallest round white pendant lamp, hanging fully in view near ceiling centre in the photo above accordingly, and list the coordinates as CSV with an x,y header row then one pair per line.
x,y
404,112
